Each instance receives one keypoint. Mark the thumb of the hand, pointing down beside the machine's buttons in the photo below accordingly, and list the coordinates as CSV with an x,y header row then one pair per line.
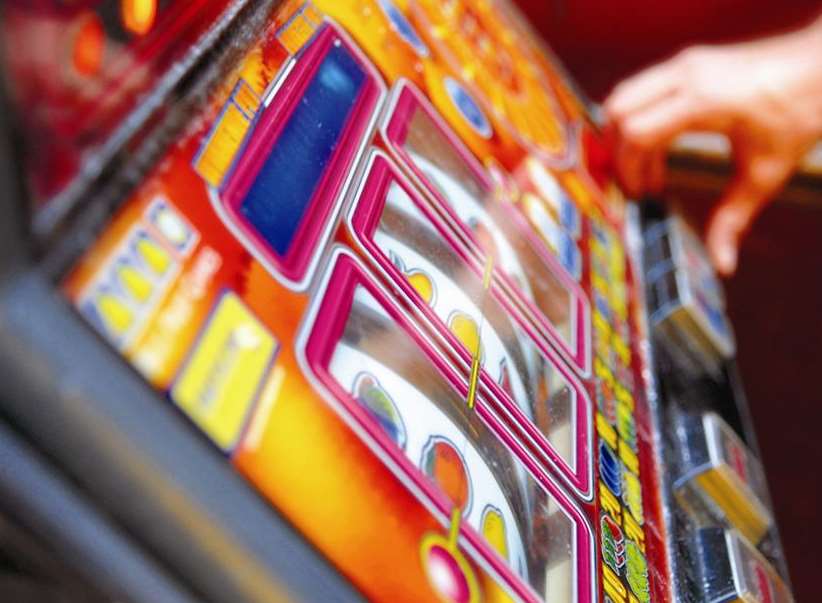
x,y
753,187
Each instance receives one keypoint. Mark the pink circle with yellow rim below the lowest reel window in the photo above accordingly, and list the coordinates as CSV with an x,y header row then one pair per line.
x,y
448,570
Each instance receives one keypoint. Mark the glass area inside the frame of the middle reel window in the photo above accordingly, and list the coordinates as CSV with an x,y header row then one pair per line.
x,y
455,294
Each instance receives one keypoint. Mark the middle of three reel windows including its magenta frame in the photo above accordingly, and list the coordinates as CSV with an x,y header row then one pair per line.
x,y
401,233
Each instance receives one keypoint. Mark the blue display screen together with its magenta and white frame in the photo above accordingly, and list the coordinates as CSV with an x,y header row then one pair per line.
x,y
283,194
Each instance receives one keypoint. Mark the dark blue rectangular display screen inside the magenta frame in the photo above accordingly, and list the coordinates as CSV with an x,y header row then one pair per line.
x,y
277,200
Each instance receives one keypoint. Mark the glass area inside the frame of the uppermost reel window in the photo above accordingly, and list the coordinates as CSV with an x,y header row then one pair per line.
x,y
474,204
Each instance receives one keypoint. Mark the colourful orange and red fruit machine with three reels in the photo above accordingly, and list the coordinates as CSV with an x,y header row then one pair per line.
x,y
338,300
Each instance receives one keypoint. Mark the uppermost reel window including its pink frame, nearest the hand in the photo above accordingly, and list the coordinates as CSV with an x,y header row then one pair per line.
x,y
466,196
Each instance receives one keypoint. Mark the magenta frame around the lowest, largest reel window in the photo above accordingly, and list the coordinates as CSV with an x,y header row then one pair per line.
x,y
325,333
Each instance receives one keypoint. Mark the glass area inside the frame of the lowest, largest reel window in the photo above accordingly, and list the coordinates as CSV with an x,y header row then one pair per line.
x,y
389,375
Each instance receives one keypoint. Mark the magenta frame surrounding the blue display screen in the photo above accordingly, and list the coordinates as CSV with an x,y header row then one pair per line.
x,y
267,131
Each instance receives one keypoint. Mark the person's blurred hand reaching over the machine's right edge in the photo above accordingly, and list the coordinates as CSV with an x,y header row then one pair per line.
x,y
765,96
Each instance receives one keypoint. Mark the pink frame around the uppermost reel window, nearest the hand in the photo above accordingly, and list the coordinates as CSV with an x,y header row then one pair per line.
x,y
408,100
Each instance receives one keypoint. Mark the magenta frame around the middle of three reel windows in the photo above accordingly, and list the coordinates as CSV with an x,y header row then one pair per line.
x,y
365,218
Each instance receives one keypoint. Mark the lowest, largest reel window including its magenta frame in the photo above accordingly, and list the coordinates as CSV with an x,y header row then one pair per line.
x,y
385,377
